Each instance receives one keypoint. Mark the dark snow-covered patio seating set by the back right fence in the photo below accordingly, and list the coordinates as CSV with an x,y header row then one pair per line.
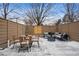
x,y
52,36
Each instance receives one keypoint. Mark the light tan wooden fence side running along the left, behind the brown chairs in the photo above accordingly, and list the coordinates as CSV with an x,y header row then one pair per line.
x,y
8,29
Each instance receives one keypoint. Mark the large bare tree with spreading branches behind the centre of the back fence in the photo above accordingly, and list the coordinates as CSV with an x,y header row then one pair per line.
x,y
38,12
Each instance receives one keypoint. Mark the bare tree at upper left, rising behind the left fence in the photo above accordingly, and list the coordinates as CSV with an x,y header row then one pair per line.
x,y
7,9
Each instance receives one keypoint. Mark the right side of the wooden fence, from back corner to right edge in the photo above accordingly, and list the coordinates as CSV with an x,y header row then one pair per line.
x,y
71,28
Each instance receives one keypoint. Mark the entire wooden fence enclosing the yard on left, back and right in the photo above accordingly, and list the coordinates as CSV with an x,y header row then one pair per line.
x,y
8,29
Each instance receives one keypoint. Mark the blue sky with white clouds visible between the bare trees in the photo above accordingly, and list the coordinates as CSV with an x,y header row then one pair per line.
x,y
21,8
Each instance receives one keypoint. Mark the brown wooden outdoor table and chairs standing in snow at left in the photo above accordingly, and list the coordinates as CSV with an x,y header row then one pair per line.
x,y
25,41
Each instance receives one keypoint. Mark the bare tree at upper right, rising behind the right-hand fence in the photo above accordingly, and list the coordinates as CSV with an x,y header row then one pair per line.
x,y
70,11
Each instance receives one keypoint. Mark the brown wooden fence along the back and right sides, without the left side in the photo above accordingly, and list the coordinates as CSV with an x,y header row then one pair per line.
x,y
71,28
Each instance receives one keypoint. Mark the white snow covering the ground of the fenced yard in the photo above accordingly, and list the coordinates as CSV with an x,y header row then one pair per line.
x,y
47,48
